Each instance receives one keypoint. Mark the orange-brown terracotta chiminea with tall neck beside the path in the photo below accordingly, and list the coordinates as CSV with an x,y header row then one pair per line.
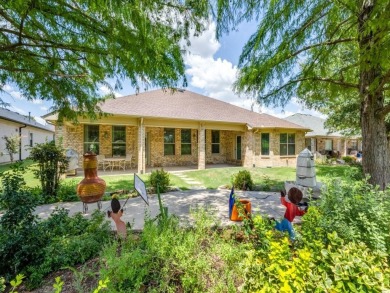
x,y
91,188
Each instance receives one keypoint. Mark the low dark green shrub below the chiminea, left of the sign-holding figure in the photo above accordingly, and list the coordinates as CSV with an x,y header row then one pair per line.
x,y
72,240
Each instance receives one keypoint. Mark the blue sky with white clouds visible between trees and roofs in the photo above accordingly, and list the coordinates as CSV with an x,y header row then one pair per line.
x,y
211,69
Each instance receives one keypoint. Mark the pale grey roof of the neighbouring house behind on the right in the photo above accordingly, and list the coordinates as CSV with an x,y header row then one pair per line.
x,y
314,123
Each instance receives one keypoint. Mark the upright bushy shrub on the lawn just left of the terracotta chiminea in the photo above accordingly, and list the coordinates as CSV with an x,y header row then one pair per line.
x,y
51,163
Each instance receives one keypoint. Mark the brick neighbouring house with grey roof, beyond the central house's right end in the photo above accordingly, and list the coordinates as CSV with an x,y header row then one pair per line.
x,y
321,140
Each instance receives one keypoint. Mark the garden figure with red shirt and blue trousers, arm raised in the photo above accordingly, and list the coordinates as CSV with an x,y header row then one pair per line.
x,y
294,196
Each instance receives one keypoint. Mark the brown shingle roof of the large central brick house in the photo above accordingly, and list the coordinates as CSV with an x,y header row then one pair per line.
x,y
184,104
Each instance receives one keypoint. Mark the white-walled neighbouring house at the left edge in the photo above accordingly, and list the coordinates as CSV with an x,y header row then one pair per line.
x,y
30,132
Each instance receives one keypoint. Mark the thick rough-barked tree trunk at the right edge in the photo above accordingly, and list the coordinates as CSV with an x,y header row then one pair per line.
x,y
375,144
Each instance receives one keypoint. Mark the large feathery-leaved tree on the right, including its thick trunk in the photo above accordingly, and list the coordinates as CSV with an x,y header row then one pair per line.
x,y
330,54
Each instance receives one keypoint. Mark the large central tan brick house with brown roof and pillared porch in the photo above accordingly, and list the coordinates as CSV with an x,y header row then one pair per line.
x,y
161,129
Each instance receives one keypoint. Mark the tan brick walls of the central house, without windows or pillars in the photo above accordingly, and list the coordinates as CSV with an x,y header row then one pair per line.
x,y
73,137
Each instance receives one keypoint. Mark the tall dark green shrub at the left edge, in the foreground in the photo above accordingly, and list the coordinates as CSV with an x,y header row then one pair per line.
x,y
20,236
